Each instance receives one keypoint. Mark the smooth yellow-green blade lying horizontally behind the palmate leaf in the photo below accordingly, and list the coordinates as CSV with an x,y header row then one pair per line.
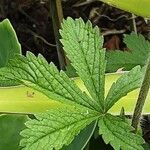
x,y
29,101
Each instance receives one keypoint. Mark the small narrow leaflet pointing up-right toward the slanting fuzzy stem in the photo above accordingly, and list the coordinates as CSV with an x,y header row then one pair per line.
x,y
125,84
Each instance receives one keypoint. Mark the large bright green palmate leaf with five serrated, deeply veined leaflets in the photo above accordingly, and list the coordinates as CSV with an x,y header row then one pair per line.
x,y
58,126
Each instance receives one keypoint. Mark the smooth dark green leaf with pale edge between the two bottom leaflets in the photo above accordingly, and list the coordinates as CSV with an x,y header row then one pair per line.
x,y
81,140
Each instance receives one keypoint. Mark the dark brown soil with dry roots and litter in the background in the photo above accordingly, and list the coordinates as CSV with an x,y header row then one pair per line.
x,y
32,22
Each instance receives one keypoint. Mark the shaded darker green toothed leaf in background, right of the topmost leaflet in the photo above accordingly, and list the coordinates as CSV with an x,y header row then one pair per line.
x,y
138,54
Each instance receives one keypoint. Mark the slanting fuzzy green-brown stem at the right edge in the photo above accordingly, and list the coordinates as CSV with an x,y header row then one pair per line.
x,y
142,97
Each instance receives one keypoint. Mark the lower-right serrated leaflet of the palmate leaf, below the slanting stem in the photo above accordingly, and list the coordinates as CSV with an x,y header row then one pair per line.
x,y
119,134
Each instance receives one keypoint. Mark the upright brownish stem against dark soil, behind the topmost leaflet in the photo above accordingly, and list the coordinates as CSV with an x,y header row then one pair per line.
x,y
57,17
